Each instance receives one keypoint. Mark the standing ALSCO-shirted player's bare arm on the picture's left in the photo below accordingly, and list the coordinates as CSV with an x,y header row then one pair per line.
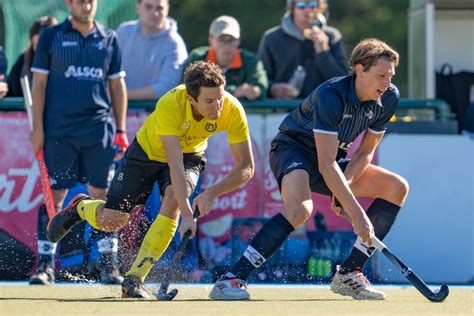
x,y
38,95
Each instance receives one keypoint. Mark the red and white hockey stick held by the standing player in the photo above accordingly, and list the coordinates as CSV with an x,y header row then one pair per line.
x,y
44,177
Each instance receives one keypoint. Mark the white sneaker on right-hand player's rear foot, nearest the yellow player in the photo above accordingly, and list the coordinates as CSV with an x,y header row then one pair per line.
x,y
229,288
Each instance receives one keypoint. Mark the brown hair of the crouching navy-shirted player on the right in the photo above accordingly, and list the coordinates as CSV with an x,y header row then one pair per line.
x,y
369,51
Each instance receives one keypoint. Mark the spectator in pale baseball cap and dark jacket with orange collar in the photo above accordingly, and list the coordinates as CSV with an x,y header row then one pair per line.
x,y
244,72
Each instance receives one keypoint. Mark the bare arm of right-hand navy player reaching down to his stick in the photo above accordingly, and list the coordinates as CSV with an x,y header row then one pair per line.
x,y
327,146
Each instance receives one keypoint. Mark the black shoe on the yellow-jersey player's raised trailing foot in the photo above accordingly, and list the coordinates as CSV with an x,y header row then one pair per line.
x,y
66,219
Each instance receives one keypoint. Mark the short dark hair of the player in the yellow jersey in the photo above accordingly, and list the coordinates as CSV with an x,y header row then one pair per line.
x,y
202,74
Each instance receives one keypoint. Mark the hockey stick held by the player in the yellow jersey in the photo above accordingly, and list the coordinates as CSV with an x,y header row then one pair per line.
x,y
163,294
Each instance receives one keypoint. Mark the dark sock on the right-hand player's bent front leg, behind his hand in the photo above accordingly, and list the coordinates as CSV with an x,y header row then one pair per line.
x,y
382,214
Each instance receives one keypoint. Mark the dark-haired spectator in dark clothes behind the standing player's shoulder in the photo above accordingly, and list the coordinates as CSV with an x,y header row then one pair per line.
x,y
22,66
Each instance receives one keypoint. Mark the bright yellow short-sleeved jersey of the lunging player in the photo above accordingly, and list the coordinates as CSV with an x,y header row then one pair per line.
x,y
173,117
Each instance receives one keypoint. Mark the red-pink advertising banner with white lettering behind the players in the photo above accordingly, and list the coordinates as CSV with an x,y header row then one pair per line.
x,y
20,193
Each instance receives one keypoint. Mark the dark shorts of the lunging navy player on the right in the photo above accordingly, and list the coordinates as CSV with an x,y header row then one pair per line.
x,y
286,157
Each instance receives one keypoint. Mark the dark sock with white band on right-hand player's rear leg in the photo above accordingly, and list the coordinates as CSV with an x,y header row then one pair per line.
x,y
270,237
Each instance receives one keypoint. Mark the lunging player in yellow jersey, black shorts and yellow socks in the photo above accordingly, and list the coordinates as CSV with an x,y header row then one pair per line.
x,y
169,148
